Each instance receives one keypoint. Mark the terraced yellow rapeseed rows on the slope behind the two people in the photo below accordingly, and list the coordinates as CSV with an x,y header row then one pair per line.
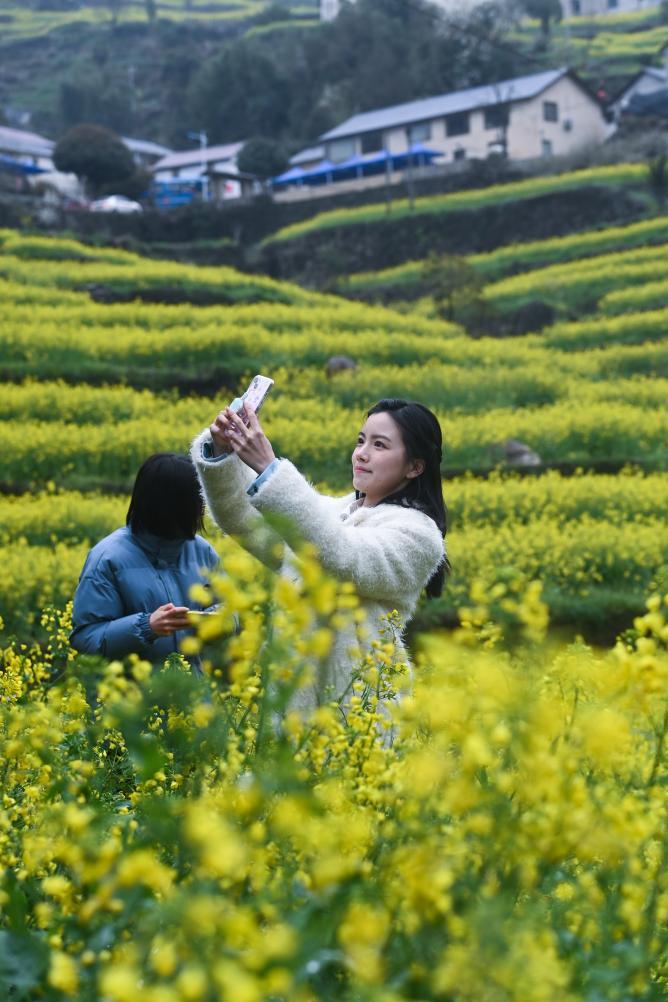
x,y
94,387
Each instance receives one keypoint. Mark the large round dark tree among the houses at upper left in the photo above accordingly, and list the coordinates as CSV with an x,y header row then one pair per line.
x,y
96,155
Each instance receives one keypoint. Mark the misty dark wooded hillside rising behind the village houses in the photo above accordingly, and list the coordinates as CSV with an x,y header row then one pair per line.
x,y
245,68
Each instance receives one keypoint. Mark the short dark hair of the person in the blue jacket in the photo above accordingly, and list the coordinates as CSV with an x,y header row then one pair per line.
x,y
166,498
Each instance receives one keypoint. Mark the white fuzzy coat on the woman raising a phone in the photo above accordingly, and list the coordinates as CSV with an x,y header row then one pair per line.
x,y
388,552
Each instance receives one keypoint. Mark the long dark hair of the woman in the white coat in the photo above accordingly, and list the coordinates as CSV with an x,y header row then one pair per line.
x,y
423,439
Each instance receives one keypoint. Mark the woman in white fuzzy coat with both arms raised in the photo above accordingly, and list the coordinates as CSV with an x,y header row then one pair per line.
x,y
387,538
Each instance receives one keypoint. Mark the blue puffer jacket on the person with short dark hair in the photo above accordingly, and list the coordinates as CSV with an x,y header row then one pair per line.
x,y
127,577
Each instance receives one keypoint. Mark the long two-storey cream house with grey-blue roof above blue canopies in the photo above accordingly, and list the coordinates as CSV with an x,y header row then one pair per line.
x,y
544,115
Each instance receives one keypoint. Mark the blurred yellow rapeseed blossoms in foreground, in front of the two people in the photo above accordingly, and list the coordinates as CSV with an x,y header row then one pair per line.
x,y
487,824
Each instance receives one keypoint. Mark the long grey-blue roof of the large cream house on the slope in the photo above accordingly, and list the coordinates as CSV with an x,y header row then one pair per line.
x,y
520,89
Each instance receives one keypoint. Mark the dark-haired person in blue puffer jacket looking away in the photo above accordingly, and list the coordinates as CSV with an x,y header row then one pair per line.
x,y
134,594
